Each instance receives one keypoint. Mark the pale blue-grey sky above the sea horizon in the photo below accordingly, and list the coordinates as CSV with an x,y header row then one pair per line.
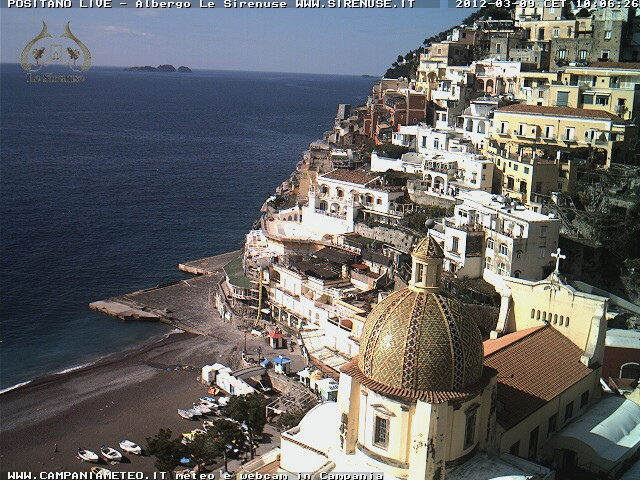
x,y
330,41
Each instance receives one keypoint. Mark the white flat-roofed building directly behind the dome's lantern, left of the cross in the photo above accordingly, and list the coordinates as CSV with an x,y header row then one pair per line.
x,y
517,242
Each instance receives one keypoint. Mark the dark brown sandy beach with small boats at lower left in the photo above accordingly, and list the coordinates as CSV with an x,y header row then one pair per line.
x,y
130,396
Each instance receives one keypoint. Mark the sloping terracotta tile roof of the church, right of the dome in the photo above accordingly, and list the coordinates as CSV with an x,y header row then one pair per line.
x,y
532,370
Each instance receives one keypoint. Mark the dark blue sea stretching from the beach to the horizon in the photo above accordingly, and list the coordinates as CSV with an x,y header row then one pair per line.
x,y
107,185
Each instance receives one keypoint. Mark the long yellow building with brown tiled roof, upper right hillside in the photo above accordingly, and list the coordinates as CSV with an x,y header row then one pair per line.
x,y
538,148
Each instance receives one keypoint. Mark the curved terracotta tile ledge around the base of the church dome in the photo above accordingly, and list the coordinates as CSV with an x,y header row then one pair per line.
x,y
429,396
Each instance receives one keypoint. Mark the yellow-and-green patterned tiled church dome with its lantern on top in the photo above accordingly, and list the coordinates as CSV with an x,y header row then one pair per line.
x,y
418,340
